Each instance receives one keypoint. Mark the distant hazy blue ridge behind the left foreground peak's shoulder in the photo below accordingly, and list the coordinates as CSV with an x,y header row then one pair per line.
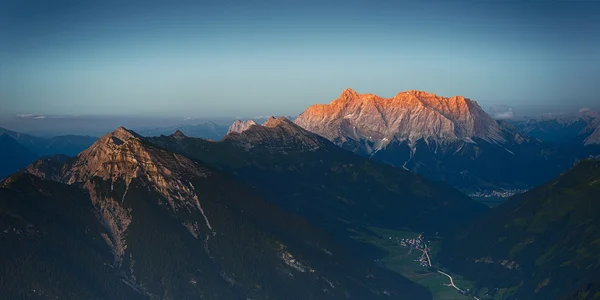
x,y
69,145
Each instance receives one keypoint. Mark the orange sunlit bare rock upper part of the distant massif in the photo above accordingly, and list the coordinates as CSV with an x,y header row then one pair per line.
x,y
410,116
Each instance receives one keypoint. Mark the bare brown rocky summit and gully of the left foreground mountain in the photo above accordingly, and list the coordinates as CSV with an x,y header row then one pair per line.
x,y
122,156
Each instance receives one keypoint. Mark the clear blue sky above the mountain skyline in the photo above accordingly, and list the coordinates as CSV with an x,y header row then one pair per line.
x,y
222,58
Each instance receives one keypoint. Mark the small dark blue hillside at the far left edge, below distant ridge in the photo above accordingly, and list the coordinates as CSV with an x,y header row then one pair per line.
x,y
13,155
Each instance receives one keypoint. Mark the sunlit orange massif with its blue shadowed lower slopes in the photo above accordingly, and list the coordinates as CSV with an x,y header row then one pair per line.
x,y
444,139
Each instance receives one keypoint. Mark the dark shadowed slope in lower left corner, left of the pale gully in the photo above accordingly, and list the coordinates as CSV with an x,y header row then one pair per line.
x,y
52,246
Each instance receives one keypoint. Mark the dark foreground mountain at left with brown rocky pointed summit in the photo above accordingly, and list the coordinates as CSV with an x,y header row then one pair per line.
x,y
126,219
